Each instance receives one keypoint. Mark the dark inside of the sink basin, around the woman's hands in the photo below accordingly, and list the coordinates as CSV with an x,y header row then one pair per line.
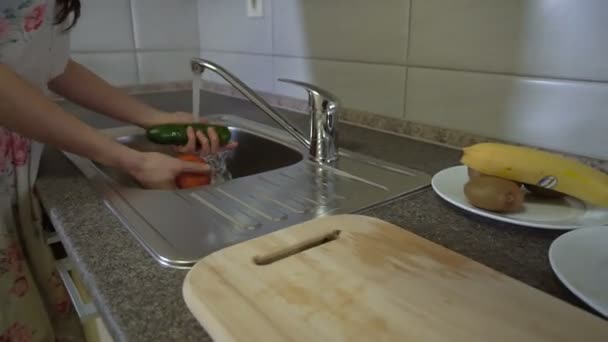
x,y
254,155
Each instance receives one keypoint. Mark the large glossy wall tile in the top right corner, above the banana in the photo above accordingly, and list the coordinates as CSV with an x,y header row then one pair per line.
x,y
555,38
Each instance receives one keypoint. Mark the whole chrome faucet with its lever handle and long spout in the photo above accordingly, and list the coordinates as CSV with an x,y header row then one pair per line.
x,y
323,106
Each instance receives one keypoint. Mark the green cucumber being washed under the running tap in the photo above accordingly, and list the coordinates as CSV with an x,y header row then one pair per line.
x,y
175,134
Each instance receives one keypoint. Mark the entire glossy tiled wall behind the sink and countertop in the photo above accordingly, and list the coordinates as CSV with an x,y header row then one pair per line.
x,y
359,50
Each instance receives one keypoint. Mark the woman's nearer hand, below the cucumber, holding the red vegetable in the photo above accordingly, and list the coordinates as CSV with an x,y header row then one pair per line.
x,y
159,171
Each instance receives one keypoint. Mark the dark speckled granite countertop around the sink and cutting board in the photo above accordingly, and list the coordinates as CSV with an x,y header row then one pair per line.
x,y
140,300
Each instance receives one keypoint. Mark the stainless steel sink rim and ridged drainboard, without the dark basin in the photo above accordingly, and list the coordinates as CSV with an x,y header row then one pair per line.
x,y
274,186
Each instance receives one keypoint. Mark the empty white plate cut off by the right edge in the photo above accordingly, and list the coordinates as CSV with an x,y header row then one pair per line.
x,y
580,260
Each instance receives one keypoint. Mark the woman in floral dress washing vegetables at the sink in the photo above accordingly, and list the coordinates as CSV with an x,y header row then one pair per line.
x,y
34,56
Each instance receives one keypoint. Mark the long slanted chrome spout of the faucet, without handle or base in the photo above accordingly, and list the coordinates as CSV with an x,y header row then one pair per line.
x,y
200,65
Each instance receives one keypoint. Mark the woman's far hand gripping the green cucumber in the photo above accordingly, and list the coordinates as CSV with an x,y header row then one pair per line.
x,y
209,145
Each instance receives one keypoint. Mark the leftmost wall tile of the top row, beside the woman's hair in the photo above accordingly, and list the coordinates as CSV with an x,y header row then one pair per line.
x,y
104,25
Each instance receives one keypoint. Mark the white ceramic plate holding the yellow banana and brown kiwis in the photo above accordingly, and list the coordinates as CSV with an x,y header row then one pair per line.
x,y
565,213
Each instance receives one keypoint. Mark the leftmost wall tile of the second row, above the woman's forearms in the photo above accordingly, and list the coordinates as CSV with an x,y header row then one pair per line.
x,y
115,67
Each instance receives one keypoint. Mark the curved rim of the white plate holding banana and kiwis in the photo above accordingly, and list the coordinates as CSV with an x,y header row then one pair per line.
x,y
491,215
